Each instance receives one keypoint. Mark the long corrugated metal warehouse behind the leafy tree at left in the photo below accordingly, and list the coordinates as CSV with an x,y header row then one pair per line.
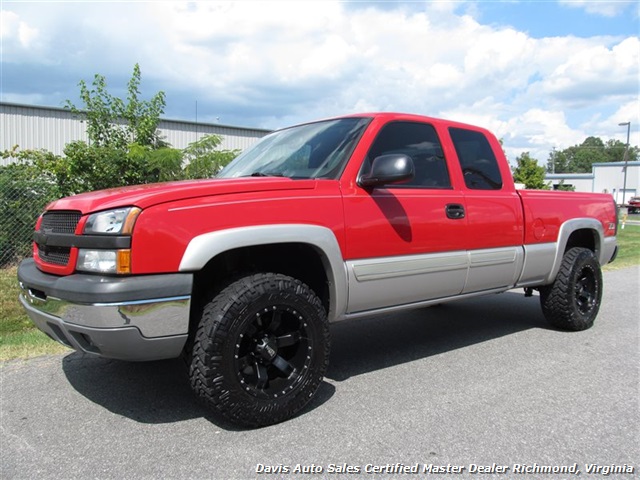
x,y
50,128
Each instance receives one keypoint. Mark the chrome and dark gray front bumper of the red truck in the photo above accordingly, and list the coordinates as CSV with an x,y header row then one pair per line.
x,y
128,318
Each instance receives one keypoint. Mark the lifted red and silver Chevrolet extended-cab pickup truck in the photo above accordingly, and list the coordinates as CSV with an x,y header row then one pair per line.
x,y
320,222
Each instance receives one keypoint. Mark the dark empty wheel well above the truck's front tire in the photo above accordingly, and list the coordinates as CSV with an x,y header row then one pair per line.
x,y
298,260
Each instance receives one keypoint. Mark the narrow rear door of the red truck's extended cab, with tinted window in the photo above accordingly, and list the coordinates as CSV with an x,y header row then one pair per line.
x,y
493,209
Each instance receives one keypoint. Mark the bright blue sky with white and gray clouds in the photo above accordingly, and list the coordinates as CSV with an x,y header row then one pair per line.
x,y
541,75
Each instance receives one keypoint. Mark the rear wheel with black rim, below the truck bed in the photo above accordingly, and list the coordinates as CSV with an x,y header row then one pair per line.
x,y
572,301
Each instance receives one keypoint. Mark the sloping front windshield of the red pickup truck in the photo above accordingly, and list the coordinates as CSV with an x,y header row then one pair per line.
x,y
314,150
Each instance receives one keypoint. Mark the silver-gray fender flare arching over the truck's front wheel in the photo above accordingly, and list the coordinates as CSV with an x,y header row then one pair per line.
x,y
204,247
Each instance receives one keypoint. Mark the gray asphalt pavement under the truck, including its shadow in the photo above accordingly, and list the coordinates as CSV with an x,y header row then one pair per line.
x,y
475,389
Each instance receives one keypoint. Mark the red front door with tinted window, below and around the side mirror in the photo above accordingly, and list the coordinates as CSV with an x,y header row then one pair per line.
x,y
406,242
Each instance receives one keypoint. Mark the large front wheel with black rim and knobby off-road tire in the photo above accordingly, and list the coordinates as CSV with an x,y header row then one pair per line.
x,y
261,350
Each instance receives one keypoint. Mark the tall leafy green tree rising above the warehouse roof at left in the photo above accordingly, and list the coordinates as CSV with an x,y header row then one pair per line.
x,y
124,145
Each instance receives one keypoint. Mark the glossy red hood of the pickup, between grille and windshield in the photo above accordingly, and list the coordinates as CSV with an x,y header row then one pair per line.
x,y
144,196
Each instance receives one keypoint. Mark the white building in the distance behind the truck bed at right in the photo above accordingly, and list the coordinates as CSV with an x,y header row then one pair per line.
x,y
604,178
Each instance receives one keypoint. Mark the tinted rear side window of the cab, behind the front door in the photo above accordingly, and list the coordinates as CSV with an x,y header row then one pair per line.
x,y
477,160
